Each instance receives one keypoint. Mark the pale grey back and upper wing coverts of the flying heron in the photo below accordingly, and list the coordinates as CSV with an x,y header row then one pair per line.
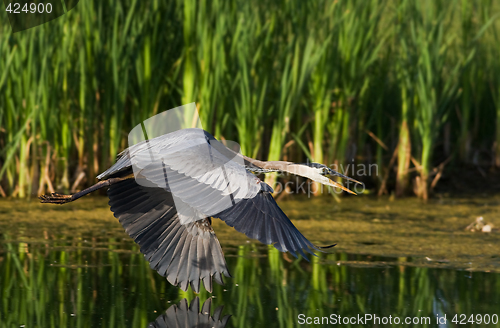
x,y
197,169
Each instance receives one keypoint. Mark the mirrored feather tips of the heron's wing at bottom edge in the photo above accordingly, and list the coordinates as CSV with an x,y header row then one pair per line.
x,y
183,316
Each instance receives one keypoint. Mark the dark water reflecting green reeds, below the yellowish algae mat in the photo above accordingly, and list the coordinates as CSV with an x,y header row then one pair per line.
x,y
84,280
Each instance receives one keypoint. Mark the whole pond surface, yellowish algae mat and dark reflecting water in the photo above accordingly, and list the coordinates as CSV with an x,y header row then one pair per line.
x,y
73,266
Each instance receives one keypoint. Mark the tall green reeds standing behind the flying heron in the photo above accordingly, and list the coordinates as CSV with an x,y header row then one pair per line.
x,y
412,87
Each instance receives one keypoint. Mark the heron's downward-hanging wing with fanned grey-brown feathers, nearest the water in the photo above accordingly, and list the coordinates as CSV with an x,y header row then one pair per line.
x,y
184,254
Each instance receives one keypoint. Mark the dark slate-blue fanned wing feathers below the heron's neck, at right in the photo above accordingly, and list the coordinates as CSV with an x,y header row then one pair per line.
x,y
262,219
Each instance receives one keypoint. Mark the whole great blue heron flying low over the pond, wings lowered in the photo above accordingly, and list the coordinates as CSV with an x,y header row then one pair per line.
x,y
191,169
